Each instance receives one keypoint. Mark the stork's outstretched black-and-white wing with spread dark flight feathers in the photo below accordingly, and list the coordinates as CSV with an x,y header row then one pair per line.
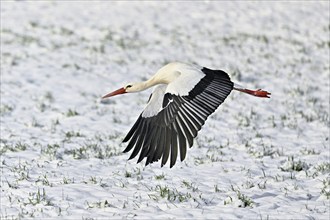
x,y
171,121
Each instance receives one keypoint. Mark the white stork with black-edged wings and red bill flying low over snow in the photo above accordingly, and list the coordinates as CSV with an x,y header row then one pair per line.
x,y
183,97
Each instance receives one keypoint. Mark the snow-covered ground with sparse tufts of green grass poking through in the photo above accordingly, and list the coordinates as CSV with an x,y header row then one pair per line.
x,y
61,151
